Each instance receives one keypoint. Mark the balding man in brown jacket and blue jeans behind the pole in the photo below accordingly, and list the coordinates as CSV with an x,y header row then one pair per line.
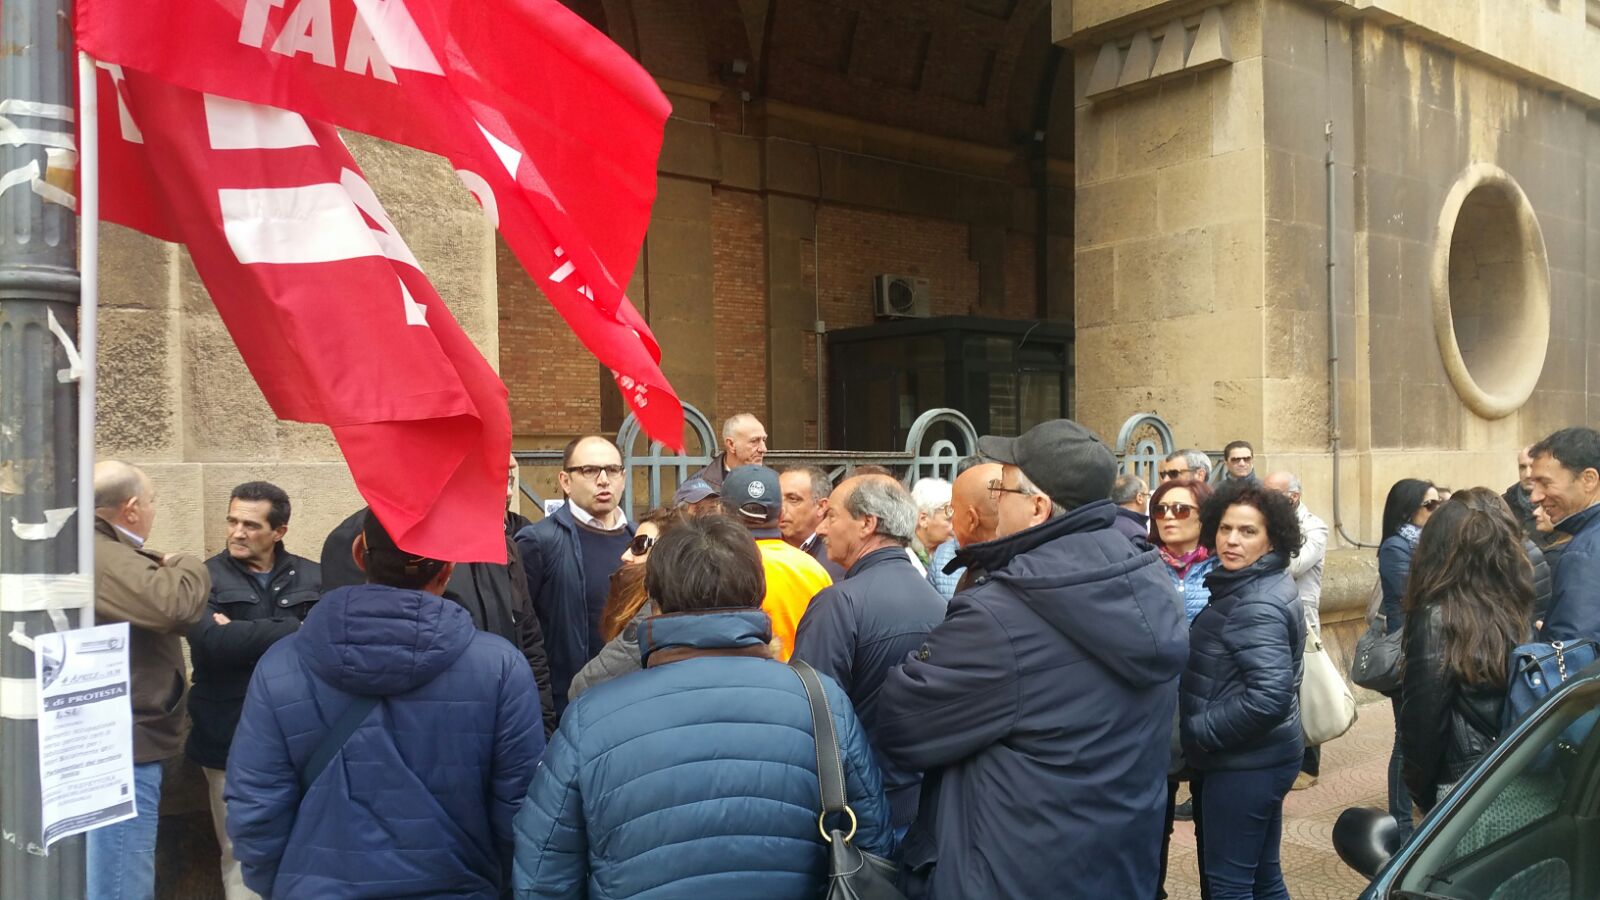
x,y
159,597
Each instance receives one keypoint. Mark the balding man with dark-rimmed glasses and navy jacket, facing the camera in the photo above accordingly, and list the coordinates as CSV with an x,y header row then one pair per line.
x,y
570,555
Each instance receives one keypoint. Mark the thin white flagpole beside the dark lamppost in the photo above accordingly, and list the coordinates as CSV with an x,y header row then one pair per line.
x,y
89,310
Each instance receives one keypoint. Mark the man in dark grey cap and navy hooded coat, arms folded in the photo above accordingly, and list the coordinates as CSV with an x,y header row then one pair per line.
x,y
1052,678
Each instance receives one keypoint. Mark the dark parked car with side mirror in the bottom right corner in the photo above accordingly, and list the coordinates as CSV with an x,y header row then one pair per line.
x,y
1522,826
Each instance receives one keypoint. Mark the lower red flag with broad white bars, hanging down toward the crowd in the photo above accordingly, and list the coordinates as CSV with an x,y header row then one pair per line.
x,y
327,305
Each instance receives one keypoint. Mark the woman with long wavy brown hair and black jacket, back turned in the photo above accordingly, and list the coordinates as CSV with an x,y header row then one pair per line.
x,y
1468,603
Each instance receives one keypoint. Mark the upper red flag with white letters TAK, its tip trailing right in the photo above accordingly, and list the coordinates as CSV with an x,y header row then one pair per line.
x,y
550,124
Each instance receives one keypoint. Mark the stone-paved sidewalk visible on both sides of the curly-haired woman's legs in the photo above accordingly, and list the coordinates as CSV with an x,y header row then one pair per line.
x,y
1354,773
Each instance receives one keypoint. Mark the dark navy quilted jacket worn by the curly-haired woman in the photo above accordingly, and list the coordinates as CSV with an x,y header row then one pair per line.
x,y
1239,701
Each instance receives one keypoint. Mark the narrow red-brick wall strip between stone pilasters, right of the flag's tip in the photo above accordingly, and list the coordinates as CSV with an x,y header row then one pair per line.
x,y
738,233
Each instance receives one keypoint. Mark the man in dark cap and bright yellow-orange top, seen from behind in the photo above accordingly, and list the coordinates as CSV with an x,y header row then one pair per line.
x,y
753,496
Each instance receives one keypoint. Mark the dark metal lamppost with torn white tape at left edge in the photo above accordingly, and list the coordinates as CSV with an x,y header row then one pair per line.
x,y
39,411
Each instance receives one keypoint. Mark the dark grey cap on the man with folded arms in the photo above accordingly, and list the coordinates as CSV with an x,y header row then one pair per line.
x,y
1063,459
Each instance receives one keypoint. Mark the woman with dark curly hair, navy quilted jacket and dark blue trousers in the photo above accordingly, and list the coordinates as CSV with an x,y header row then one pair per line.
x,y
1239,697
